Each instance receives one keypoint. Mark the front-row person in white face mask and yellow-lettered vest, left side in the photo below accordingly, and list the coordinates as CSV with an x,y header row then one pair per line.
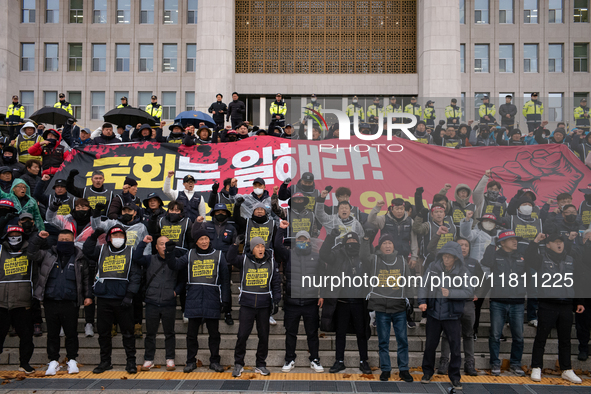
x,y
117,281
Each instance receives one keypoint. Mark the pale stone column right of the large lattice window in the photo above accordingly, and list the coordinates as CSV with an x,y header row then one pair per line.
x,y
438,49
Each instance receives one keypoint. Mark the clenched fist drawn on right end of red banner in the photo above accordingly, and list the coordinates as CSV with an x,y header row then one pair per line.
x,y
547,174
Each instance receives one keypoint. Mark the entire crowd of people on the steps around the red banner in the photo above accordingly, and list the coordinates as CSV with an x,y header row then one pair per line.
x,y
125,260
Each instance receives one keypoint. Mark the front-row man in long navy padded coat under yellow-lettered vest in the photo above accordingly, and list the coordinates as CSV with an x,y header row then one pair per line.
x,y
208,283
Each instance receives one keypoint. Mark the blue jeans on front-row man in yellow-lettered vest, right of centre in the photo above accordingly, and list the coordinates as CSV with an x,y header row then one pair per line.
x,y
398,321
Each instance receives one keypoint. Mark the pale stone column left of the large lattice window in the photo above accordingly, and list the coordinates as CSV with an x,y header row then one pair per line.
x,y
215,52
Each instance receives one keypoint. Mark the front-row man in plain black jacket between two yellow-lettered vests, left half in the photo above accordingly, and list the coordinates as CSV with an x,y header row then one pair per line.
x,y
162,287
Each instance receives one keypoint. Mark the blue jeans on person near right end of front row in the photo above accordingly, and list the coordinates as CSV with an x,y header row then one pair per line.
x,y
499,312
